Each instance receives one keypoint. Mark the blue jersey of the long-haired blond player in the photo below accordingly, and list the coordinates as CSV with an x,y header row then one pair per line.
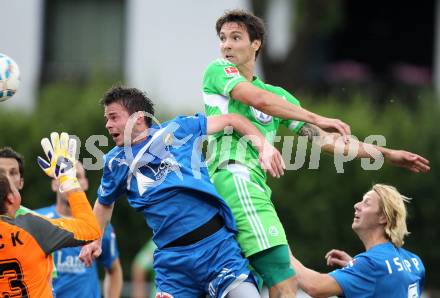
x,y
382,271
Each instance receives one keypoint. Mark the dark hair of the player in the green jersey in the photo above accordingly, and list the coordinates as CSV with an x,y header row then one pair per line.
x,y
253,24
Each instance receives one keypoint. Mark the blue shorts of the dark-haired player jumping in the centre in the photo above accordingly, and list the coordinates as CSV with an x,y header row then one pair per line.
x,y
211,266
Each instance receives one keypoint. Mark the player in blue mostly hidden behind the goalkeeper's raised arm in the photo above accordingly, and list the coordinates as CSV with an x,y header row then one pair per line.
x,y
74,278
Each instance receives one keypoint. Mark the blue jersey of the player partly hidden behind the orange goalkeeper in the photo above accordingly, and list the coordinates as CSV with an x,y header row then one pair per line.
x,y
74,278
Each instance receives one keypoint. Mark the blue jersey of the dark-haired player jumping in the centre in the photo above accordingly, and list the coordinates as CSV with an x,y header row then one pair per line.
x,y
165,178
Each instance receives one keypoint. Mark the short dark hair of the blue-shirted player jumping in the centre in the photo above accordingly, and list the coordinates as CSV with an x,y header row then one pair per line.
x,y
132,99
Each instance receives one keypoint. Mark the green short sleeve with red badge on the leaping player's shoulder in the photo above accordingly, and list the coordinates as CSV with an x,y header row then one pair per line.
x,y
220,77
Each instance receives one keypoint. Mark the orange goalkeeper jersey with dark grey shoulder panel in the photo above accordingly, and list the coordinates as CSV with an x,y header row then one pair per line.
x,y
26,244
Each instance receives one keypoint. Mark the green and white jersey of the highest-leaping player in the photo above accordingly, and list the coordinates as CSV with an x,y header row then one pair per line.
x,y
220,77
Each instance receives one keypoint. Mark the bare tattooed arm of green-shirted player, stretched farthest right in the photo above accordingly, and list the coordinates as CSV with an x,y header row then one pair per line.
x,y
332,143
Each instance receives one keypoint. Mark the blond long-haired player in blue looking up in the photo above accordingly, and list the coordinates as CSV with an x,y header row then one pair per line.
x,y
385,269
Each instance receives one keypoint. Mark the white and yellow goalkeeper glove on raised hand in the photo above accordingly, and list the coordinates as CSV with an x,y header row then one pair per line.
x,y
61,164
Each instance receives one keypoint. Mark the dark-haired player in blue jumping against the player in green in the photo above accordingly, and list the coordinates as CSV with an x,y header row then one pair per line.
x,y
161,170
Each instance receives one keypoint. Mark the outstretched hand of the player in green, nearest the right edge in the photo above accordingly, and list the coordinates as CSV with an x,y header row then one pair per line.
x,y
411,161
